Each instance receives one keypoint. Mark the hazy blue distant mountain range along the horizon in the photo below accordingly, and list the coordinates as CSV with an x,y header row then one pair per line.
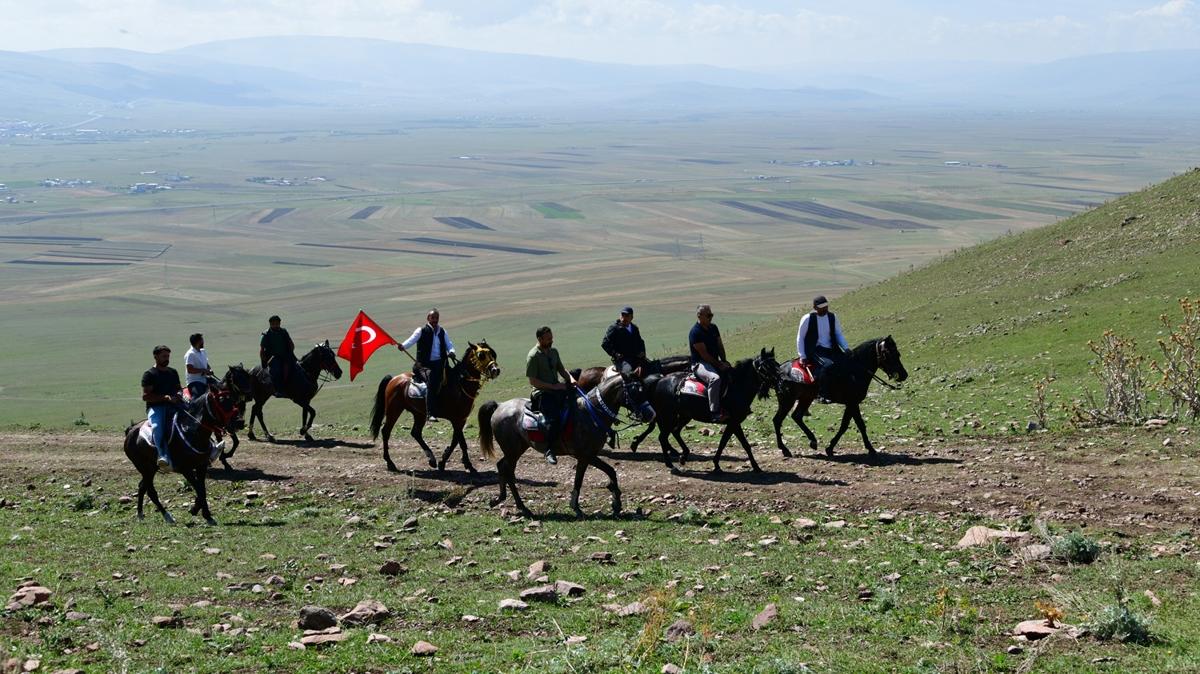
x,y
352,74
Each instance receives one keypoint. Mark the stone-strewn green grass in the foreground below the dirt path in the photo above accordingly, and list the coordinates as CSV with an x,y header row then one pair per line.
x,y
868,598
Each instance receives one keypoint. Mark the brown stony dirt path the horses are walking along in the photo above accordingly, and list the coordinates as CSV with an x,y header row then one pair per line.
x,y
1129,483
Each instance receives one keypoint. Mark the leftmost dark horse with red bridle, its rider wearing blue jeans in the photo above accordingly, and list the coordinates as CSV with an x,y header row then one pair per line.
x,y
189,447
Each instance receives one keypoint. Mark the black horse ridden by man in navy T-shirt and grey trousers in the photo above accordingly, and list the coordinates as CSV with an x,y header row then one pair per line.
x,y
740,386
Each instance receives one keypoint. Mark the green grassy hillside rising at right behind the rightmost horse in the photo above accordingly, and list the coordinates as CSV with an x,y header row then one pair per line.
x,y
980,328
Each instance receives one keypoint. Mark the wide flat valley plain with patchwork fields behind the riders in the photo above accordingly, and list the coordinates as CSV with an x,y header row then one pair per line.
x,y
657,234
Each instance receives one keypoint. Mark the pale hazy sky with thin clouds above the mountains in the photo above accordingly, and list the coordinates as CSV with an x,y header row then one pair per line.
x,y
733,33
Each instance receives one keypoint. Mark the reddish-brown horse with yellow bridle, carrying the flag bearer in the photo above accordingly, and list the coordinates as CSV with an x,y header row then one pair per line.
x,y
457,399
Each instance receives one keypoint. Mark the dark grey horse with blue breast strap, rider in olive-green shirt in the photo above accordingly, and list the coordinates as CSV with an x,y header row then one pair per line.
x,y
590,418
